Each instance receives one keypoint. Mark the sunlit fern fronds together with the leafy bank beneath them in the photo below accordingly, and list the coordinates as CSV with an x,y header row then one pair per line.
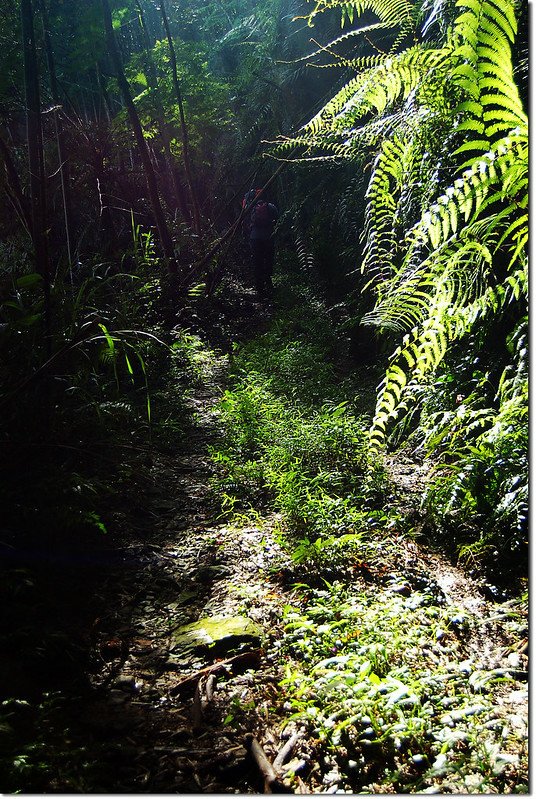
x,y
438,117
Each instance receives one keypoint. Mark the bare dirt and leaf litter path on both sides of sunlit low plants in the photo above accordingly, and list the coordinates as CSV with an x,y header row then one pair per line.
x,y
158,719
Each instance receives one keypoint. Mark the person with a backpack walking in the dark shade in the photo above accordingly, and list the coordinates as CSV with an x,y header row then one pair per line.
x,y
260,230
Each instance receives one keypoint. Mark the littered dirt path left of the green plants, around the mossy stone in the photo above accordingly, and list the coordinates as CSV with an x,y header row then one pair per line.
x,y
181,564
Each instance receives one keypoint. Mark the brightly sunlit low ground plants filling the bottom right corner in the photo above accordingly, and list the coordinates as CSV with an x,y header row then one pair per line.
x,y
377,678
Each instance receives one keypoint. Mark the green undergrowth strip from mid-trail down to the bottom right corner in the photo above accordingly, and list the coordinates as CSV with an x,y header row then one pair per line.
x,y
375,663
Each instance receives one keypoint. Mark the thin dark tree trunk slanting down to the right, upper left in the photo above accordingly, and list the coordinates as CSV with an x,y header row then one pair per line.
x,y
163,230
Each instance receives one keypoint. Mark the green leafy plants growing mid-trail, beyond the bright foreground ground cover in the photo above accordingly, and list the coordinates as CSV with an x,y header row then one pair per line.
x,y
292,434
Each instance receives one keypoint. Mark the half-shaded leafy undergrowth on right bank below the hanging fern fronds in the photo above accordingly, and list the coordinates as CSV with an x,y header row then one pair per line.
x,y
473,429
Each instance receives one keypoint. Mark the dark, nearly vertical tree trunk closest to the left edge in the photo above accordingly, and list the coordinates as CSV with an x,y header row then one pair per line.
x,y
36,156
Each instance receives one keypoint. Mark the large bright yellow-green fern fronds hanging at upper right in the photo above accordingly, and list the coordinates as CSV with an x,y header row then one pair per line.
x,y
435,223
